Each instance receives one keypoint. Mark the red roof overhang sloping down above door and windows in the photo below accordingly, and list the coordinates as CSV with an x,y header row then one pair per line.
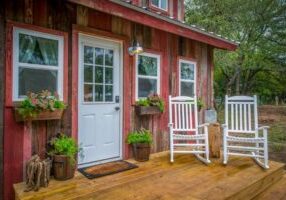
x,y
140,15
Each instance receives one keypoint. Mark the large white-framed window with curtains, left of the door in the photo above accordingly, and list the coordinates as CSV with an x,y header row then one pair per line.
x,y
37,63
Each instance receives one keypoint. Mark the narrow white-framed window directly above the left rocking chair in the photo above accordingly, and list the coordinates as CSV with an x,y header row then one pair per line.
x,y
187,78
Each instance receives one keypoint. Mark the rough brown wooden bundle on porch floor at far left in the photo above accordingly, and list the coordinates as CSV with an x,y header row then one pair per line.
x,y
37,173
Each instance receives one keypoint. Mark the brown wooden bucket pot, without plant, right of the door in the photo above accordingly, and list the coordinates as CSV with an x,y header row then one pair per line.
x,y
141,151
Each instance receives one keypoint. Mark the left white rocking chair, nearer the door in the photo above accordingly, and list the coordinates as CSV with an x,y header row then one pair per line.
x,y
183,120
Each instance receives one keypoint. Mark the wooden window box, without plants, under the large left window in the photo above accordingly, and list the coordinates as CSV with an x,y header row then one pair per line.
x,y
44,115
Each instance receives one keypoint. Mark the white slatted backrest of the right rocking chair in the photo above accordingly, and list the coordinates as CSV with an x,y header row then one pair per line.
x,y
241,114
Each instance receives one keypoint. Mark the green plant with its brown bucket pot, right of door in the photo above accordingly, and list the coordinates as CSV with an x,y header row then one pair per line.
x,y
140,141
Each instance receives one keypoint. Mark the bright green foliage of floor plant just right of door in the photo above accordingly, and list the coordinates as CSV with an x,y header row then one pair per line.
x,y
141,136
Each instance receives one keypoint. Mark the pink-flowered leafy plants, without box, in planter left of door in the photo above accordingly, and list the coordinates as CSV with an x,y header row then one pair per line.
x,y
37,102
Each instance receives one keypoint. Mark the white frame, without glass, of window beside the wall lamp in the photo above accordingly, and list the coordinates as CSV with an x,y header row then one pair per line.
x,y
158,77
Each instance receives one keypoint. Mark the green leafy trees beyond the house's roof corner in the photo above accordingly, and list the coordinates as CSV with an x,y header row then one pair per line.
x,y
258,65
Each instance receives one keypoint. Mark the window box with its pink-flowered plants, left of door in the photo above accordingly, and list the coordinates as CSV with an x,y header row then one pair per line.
x,y
40,106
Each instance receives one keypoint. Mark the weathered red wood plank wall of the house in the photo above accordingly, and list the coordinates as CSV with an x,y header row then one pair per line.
x,y
72,19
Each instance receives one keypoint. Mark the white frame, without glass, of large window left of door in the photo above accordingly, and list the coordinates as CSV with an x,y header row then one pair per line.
x,y
16,64
